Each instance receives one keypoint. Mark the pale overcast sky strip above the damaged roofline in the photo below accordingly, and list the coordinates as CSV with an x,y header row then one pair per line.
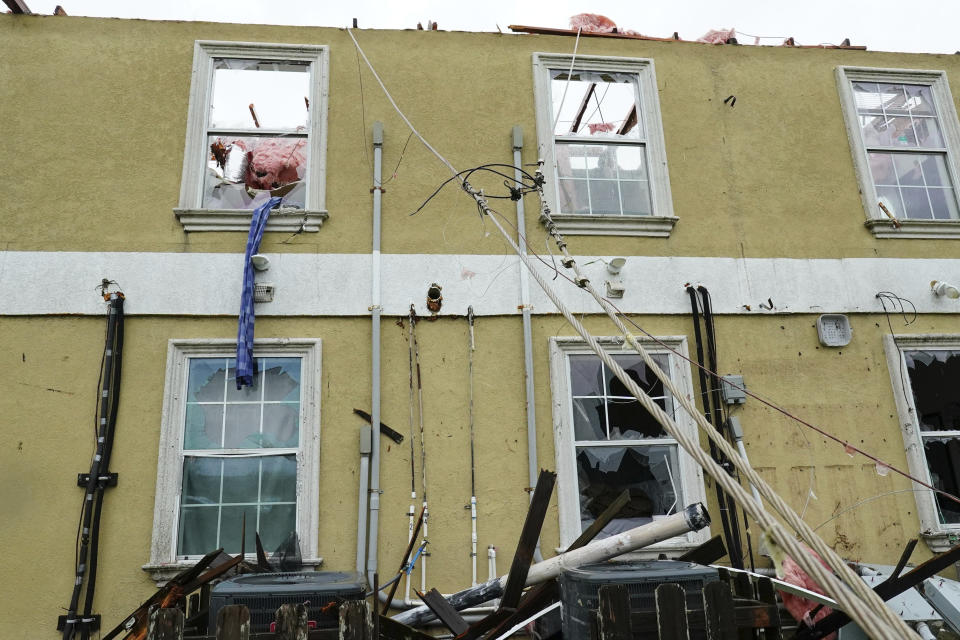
x,y
890,25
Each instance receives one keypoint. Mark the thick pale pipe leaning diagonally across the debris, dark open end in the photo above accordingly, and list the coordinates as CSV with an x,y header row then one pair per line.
x,y
693,518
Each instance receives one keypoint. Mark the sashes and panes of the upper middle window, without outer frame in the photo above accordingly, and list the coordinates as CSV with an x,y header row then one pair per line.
x,y
600,144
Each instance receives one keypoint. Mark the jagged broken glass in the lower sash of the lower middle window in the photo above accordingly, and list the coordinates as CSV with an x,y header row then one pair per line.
x,y
650,473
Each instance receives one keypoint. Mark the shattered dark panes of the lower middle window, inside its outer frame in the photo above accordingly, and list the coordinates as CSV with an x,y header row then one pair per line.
x,y
619,445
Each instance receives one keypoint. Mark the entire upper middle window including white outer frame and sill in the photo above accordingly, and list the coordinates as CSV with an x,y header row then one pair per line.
x,y
600,135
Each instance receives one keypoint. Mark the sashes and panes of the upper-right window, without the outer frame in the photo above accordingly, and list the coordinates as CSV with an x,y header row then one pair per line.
x,y
906,150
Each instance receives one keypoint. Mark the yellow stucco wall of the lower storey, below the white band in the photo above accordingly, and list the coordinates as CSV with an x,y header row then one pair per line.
x,y
49,414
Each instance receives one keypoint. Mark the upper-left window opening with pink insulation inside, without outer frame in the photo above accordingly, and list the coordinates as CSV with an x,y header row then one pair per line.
x,y
257,133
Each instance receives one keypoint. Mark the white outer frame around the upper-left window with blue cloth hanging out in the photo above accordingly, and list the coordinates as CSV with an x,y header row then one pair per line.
x,y
190,212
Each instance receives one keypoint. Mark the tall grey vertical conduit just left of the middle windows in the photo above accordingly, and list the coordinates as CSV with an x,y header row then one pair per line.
x,y
533,468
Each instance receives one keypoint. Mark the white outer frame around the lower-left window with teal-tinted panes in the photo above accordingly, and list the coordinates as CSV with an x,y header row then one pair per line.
x,y
164,562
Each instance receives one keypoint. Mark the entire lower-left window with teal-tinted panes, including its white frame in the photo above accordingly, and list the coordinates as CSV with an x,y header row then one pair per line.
x,y
231,455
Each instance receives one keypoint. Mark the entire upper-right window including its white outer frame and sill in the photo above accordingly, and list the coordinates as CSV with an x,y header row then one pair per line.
x,y
904,131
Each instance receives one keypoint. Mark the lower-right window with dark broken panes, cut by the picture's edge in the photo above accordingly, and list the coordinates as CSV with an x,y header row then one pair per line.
x,y
925,370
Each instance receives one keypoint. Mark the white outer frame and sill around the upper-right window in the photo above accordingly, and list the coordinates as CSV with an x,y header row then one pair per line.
x,y
877,221
